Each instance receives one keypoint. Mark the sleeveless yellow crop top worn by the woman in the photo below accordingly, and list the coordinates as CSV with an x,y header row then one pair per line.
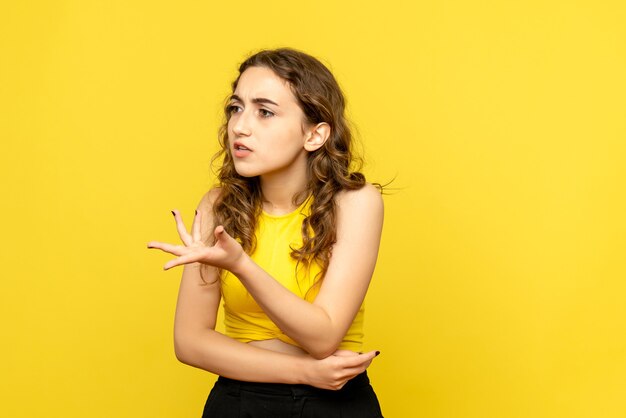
x,y
244,320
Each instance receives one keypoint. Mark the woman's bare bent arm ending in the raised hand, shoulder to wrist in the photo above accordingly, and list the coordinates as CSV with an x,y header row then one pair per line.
x,y
319,327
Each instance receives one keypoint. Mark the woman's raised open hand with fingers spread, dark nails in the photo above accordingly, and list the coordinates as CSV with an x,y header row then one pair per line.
x,y
226,253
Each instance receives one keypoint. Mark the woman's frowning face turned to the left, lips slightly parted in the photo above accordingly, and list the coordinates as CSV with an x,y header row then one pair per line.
x,y
266,129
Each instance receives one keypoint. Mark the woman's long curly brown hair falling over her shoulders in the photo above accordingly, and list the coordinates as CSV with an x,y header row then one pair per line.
x,y
331,168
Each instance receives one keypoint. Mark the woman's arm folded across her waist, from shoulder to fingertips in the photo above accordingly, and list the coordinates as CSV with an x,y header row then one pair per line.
x,y
199,345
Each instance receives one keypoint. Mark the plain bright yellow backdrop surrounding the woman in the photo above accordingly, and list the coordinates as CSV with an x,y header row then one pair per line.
x,y
500,289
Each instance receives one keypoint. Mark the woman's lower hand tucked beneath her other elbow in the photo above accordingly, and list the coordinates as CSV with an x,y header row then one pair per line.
x,y
334,371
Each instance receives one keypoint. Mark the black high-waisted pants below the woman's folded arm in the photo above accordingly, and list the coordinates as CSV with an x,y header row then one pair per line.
x,y
236,399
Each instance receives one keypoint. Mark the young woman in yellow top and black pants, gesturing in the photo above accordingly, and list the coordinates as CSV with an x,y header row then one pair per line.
x,y
289,240
